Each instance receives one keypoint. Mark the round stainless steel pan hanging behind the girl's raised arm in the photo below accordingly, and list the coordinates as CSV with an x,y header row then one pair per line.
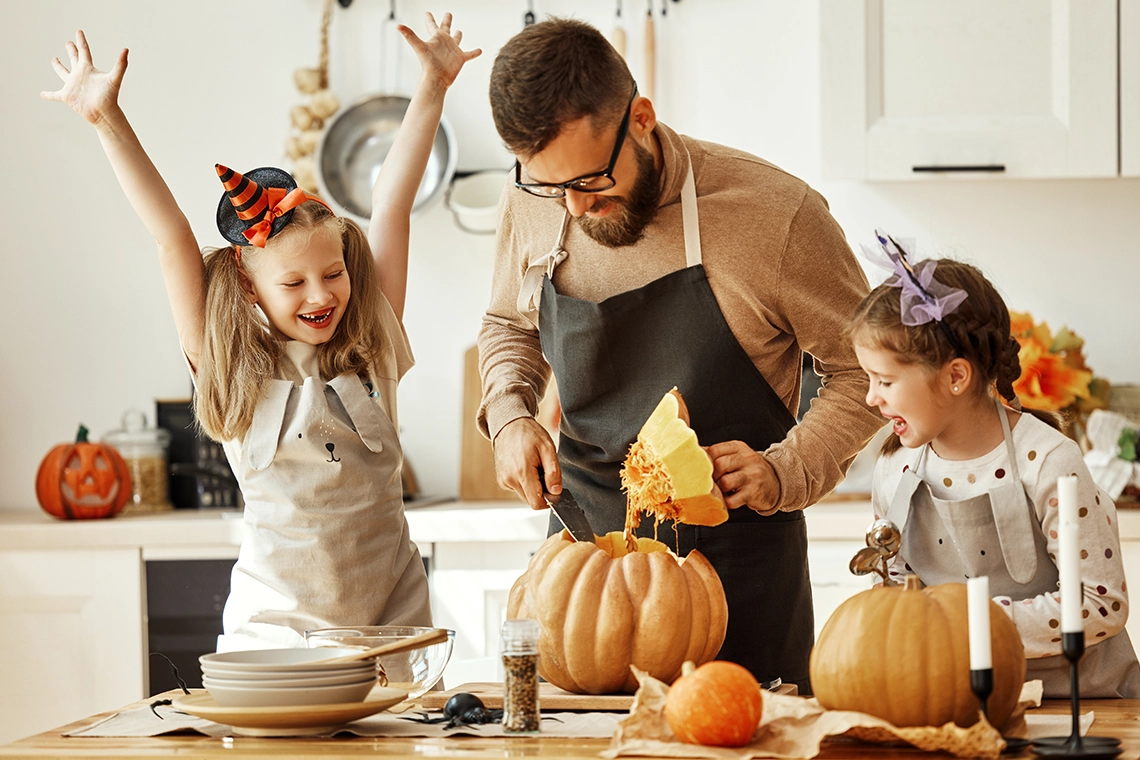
x,y
355,145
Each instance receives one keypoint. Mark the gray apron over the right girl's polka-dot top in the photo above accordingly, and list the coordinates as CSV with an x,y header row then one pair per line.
x,y
998,535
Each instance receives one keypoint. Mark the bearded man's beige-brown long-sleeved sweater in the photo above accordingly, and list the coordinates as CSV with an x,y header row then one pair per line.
x,y
780,268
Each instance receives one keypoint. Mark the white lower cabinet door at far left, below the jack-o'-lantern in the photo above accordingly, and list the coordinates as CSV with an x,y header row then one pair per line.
x,y
71,633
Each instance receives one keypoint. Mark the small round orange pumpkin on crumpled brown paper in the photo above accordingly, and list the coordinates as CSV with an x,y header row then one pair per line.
x,y
716,705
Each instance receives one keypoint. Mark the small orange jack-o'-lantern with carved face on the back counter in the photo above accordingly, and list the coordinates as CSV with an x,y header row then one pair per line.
x,y
83,480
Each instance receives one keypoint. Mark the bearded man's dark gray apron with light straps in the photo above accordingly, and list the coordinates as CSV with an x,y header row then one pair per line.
x,y
614,362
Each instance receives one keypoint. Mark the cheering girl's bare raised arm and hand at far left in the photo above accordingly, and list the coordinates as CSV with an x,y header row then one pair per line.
x,y
94,95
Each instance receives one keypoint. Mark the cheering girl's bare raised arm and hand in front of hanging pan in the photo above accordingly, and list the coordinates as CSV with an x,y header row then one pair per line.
x,y
404,168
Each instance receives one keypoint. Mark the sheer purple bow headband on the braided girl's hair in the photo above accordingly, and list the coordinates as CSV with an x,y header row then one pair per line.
x,y
923,299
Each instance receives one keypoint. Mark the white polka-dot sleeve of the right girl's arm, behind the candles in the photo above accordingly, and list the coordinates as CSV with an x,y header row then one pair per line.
x,y
1106,602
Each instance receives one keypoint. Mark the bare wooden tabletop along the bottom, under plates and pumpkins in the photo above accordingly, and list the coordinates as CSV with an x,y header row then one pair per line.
x,y
1120,718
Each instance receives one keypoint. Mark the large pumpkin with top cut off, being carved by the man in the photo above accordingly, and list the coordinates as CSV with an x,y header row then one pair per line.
x,y
602,608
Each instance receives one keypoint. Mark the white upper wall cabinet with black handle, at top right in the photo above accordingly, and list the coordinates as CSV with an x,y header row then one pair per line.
x,y
915,89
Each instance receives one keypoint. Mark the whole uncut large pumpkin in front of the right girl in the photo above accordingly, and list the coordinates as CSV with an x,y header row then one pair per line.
x,y
902,653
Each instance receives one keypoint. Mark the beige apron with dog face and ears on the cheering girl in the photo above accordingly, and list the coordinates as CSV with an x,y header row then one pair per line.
x,y
327,541
